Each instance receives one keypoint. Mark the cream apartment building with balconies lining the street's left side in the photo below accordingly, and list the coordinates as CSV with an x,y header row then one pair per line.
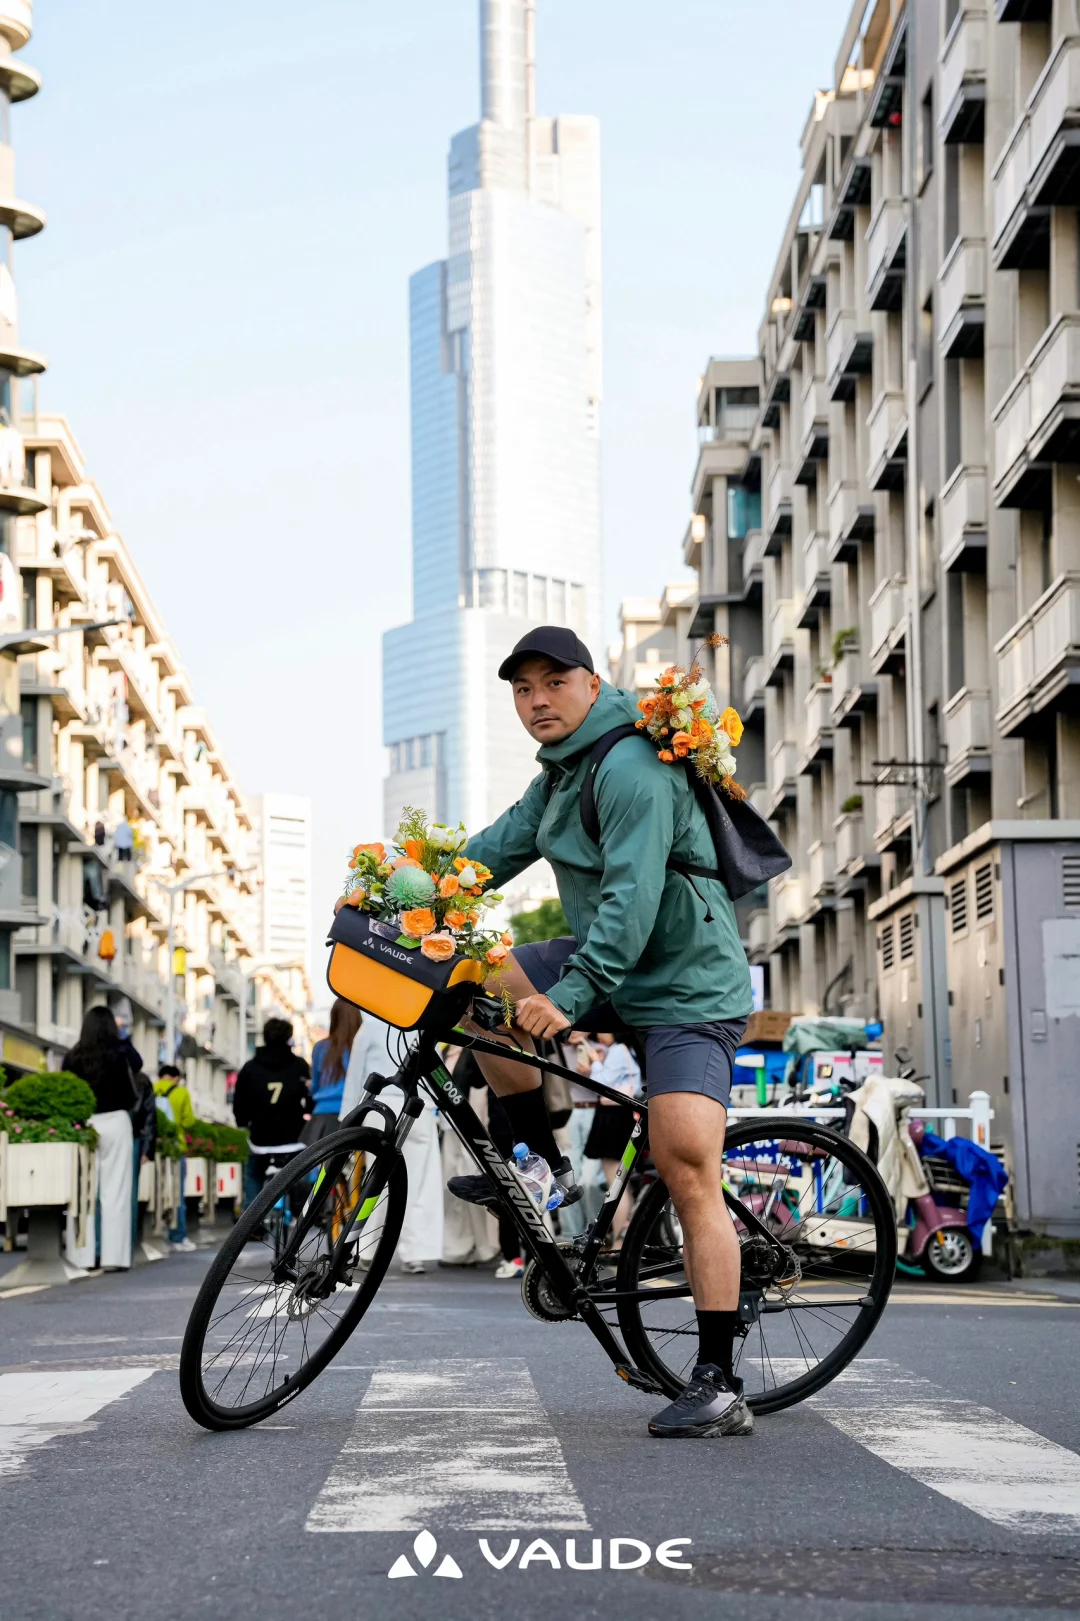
x,y
129,875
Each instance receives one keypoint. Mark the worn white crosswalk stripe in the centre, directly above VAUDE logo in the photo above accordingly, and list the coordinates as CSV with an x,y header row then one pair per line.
x,y
450,1445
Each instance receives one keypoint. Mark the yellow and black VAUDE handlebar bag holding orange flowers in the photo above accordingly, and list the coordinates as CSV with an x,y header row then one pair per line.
x,y
398,983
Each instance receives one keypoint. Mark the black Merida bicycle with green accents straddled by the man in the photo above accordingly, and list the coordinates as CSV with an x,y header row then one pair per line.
x,y
815,1221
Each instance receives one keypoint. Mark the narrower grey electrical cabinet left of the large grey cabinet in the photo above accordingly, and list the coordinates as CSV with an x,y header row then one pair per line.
x,y
911,954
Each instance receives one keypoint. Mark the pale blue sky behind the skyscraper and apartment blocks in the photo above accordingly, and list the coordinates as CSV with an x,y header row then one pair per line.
x,y
238,195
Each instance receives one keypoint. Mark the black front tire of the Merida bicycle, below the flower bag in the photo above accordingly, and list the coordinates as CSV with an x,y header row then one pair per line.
x,y
199,1401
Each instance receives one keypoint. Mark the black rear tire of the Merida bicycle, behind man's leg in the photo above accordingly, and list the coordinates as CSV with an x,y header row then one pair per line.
x,y
651,1213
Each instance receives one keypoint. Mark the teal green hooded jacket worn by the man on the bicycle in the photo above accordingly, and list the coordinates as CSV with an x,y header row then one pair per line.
x,y
643,939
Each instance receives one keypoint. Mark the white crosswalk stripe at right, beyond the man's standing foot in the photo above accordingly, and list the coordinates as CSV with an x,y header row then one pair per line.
x,y
969,1453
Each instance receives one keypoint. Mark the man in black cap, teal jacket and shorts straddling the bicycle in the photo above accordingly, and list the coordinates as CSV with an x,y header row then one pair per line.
x,y
651,952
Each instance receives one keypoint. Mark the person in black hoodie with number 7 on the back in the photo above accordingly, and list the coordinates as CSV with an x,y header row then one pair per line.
x,y
272,1103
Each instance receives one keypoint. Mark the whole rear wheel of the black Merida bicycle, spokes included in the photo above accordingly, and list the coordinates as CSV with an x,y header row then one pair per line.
x,y
812,1291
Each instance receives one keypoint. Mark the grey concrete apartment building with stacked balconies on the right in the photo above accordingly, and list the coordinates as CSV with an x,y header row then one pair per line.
x,y
917,451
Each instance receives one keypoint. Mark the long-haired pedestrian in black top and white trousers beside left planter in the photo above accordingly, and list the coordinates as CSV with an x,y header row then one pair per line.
x,y
105,1064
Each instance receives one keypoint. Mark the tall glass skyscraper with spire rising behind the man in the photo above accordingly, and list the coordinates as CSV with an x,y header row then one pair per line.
x,y
505,379
